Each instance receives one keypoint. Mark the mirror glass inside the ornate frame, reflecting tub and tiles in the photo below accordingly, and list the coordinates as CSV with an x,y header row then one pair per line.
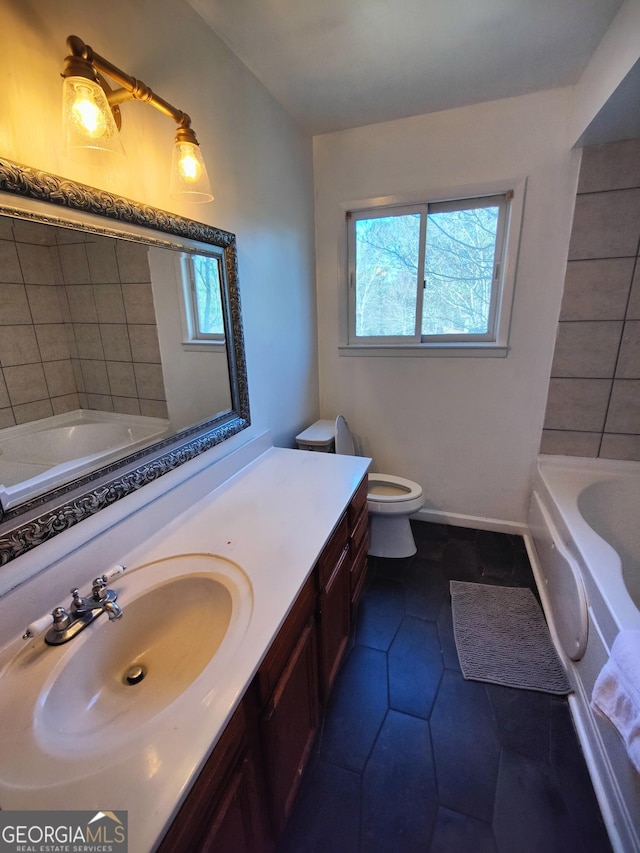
x,y
85,321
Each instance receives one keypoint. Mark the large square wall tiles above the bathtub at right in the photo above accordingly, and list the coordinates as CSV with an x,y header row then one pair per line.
x,y
593,406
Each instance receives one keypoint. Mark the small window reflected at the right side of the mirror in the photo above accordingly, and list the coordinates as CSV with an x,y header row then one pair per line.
x,y
202,303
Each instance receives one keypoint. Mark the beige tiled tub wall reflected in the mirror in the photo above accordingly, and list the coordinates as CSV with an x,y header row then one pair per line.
x,y
77,325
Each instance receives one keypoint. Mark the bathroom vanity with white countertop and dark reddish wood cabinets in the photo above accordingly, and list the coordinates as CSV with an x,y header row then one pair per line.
x,y
220,764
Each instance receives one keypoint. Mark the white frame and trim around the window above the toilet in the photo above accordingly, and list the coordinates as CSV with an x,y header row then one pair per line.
x,y
493,344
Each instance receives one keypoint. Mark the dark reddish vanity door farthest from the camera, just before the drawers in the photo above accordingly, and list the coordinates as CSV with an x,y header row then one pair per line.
x,y
334,622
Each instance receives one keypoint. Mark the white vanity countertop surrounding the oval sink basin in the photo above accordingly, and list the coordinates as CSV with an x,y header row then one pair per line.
x,y
271,513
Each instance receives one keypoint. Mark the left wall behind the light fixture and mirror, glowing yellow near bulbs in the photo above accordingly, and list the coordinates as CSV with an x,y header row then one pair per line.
x,y
259,163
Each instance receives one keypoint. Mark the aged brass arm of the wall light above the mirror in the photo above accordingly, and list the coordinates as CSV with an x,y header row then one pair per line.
x,y
85,62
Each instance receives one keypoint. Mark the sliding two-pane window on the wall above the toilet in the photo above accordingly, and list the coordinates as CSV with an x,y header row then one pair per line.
x,y
429,274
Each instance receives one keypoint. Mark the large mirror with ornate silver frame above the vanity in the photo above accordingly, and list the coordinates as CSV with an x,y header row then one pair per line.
x,y
120,342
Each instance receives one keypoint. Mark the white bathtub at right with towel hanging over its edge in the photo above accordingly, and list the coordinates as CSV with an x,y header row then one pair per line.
x,y
584,545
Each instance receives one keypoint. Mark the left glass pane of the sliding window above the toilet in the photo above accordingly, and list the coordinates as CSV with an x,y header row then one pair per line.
x,y
386,275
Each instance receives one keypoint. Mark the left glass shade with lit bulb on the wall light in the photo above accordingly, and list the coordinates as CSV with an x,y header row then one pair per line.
x,y
87,119
